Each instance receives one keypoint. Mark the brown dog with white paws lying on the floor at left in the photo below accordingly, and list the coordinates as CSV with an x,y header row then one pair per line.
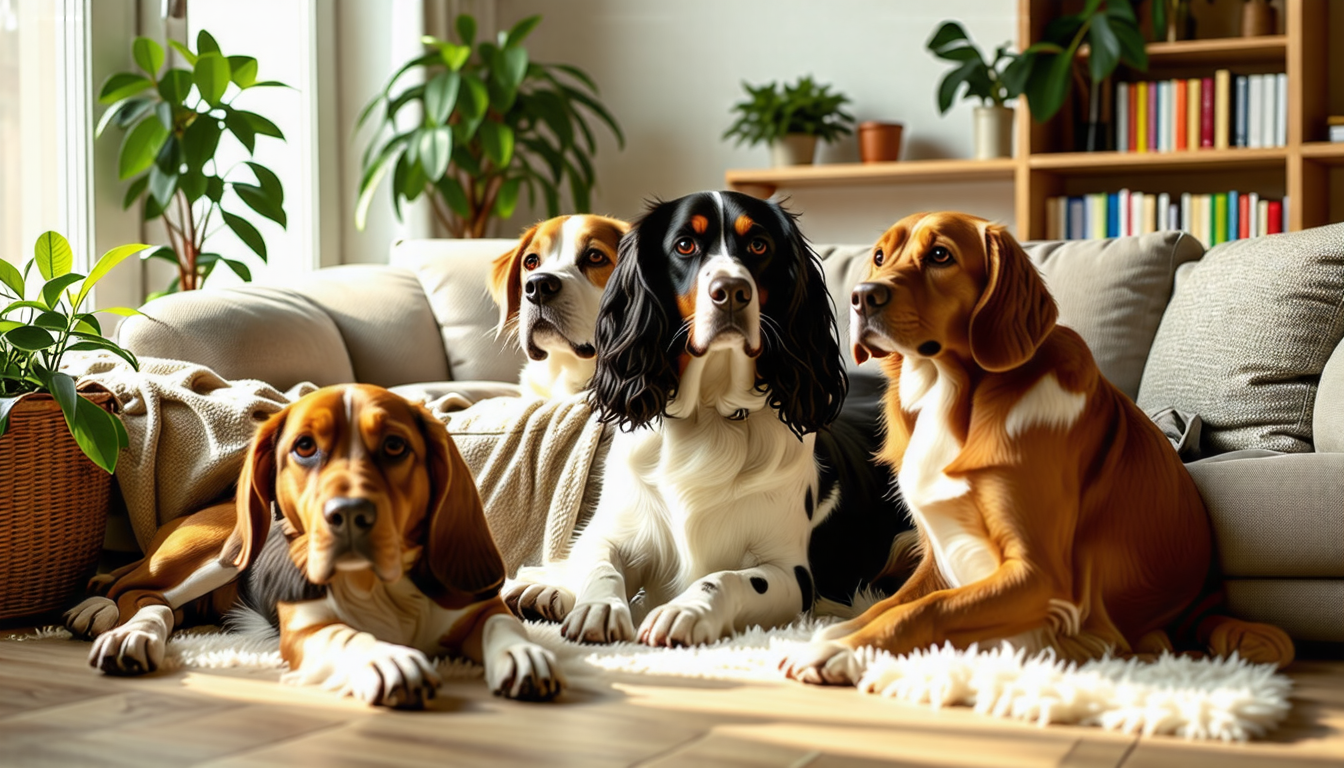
x,y
381,559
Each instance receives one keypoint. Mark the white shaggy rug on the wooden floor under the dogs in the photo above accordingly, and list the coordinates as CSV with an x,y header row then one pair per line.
x,y
1226,700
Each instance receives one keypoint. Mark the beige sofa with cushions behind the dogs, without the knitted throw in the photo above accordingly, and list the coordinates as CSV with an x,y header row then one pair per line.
x,y
1277,500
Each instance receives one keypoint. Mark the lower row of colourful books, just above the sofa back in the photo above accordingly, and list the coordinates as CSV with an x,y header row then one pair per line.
x,y
1212,219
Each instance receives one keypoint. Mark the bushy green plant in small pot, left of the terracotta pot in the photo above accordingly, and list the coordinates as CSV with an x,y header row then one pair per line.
x,y
791,120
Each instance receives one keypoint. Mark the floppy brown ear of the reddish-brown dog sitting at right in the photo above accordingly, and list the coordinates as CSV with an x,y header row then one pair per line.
x,y
1015,313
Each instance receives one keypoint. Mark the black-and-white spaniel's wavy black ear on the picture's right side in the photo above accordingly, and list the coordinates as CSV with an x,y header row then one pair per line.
x,y
804,371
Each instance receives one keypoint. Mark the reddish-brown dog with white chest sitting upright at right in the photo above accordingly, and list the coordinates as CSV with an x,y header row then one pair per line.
x,y
1052,512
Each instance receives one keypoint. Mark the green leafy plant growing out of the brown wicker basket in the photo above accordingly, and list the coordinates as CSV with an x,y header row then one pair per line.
x,y
53,325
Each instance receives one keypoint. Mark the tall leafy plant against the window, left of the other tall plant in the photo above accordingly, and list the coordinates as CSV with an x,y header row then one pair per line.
x,y
174,122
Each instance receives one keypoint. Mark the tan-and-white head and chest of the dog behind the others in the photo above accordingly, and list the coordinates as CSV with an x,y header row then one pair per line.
x,y
550,287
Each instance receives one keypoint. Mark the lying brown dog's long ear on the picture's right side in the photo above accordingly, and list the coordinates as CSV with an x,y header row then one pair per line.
x,y
460,564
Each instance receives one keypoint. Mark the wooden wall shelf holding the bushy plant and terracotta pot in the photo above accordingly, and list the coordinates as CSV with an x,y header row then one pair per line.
x,y
764,182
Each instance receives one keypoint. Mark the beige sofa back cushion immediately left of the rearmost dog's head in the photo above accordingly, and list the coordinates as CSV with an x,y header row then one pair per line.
x,y
454,275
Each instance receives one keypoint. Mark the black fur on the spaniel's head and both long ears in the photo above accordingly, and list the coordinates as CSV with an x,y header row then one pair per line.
x,y
642,336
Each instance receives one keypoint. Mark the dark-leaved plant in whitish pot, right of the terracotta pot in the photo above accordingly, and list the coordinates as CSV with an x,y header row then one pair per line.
x,y
993,83
